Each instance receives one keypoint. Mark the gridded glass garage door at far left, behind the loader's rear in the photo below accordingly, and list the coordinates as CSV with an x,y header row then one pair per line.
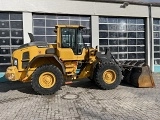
x,y
11,36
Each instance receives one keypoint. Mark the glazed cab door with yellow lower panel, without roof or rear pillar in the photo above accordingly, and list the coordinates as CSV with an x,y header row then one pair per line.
x,y
71,47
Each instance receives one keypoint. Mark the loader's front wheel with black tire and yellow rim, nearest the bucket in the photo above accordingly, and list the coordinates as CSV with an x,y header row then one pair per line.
x,y
107,75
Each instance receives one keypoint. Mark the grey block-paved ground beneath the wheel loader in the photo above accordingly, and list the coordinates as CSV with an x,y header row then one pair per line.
x,y
80,101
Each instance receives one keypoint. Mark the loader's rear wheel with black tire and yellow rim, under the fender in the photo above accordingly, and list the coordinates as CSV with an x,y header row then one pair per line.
x,y
47,79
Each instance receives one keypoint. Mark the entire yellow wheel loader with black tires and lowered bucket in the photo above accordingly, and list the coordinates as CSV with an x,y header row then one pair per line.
x,y
49,66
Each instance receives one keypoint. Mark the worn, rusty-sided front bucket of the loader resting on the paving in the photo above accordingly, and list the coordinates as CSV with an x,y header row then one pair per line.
x,y
140,77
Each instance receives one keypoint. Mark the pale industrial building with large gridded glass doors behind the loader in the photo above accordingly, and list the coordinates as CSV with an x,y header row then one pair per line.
x,y
130,29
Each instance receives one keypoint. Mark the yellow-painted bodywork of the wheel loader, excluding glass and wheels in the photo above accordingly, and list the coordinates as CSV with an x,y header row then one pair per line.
x,y
65,55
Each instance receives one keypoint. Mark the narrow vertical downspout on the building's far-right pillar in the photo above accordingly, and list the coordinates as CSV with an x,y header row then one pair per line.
x,y
151,37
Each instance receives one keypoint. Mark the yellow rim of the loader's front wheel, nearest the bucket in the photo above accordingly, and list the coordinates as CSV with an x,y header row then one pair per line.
x,y
109,76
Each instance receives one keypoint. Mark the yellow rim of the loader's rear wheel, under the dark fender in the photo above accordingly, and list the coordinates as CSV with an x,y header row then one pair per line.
x,y
47,80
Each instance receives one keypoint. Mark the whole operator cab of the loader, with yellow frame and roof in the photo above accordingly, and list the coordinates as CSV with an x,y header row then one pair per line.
x,y
70,44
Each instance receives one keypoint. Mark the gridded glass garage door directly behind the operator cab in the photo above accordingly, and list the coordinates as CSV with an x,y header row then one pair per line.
x,y
44,25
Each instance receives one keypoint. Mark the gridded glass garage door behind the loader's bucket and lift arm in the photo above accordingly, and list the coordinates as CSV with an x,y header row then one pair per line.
x,y
124,36
